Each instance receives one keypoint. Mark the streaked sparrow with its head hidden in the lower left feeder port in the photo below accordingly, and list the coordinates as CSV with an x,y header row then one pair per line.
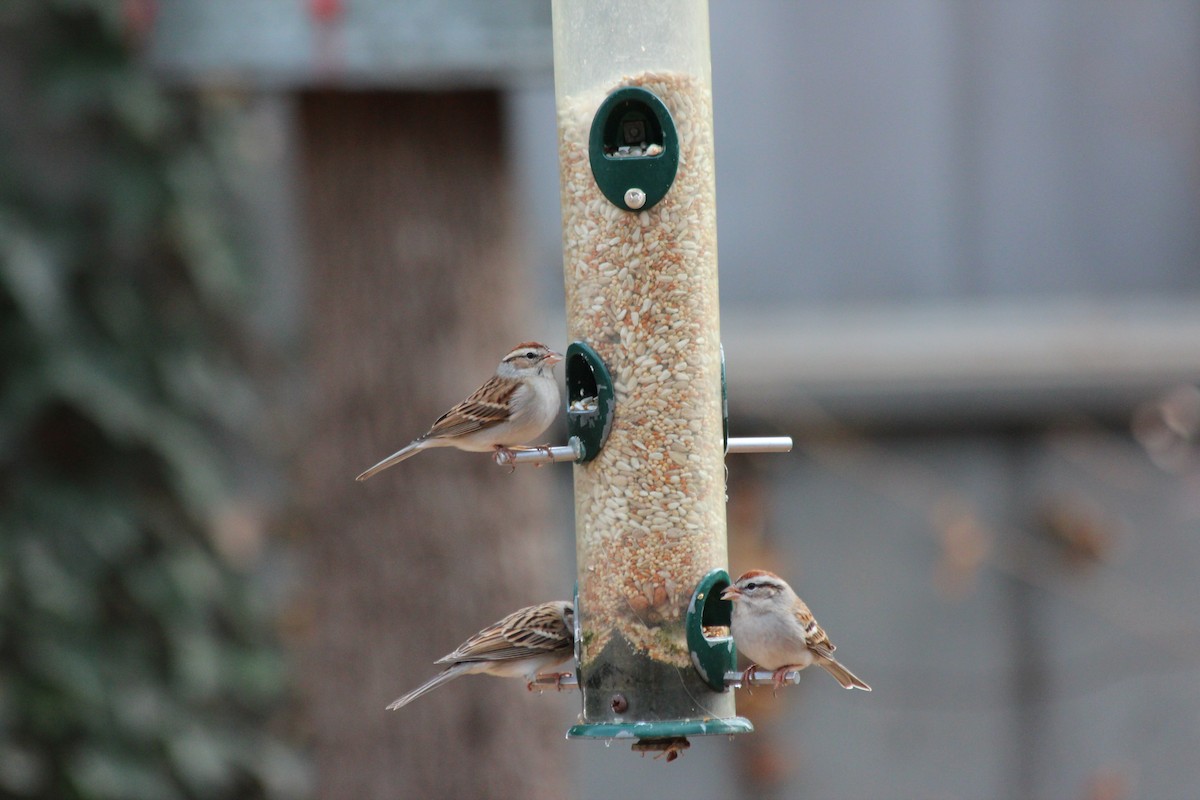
x,y
524,645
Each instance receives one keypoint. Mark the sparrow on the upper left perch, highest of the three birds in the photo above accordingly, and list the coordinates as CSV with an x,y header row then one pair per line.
x,y
517,405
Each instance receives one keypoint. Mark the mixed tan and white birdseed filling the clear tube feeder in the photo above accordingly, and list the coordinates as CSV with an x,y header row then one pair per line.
x,y
641,290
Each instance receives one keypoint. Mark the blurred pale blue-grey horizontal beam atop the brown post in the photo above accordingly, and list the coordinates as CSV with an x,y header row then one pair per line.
x,y
368,44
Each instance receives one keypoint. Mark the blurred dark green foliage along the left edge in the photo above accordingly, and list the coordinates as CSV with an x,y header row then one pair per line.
x,y
136,661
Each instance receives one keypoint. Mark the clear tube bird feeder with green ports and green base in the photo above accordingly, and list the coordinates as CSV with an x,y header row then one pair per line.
x,y
634,100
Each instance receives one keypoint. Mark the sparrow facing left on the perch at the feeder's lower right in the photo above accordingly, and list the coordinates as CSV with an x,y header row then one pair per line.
x,y
777,631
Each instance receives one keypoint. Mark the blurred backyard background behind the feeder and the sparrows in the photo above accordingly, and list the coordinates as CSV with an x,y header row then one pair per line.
x,y
249,248
